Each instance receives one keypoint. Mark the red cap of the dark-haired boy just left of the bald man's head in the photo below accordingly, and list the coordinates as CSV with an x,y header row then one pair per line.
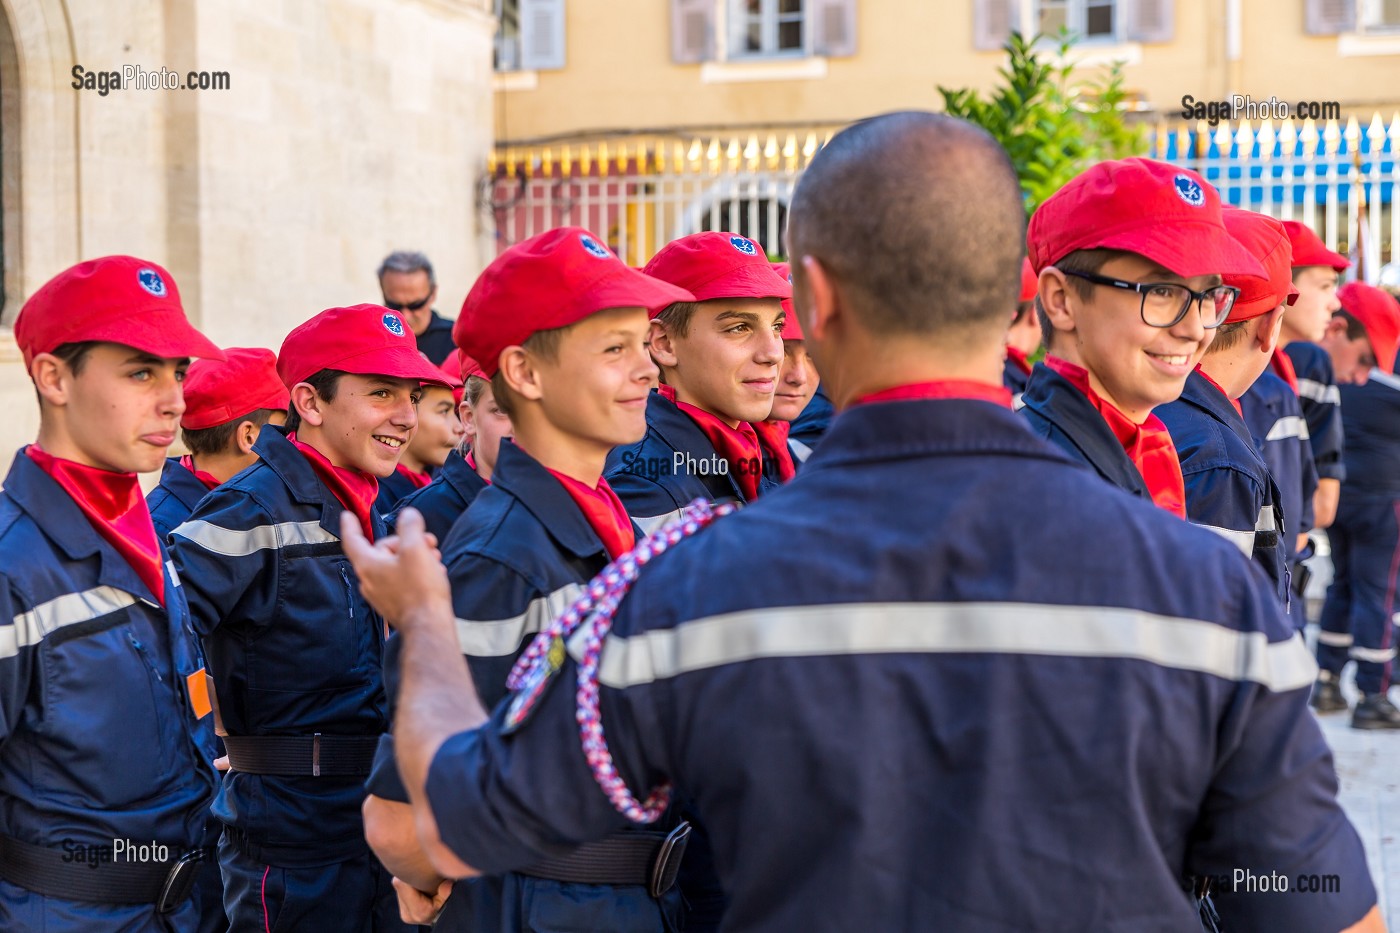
x,y
719,265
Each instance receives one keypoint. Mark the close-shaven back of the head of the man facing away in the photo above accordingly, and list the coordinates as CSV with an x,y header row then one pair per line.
x,y
920,222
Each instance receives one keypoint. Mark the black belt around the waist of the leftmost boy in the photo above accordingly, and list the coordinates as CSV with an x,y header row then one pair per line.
x,y
99,875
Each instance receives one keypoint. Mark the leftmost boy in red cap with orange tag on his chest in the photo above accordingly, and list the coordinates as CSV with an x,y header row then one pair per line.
x,y
106,735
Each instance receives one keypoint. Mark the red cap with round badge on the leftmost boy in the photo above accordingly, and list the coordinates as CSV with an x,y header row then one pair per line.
x,y
118,300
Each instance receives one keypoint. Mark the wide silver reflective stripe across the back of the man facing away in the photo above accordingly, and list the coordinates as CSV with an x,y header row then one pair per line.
x,y
965,628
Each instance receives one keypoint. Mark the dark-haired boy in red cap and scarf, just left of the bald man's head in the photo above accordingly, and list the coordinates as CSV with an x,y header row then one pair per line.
x,y
719,358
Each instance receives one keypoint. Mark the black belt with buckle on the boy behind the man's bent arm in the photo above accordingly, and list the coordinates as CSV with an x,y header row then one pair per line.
x,y
626,858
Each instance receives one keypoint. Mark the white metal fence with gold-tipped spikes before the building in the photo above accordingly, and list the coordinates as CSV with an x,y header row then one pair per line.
x,y
640,194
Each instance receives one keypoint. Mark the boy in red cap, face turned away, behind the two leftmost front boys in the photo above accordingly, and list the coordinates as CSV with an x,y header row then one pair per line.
x,y
226,406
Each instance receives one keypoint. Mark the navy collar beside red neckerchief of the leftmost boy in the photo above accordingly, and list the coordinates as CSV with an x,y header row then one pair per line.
x,y
61,520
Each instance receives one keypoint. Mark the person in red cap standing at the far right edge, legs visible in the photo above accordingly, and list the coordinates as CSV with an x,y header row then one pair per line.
x,y
1357,618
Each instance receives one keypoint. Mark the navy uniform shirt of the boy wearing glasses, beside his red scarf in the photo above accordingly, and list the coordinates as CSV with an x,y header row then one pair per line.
x,y
1059,413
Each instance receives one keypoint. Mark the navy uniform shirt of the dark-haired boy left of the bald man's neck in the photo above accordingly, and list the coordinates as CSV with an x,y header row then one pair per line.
x,y
671,467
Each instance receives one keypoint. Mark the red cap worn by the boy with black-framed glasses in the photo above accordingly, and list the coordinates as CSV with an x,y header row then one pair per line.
x,y
1165,214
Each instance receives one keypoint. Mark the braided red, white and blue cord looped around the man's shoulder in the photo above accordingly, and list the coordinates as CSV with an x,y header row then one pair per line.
x,y
596,610
